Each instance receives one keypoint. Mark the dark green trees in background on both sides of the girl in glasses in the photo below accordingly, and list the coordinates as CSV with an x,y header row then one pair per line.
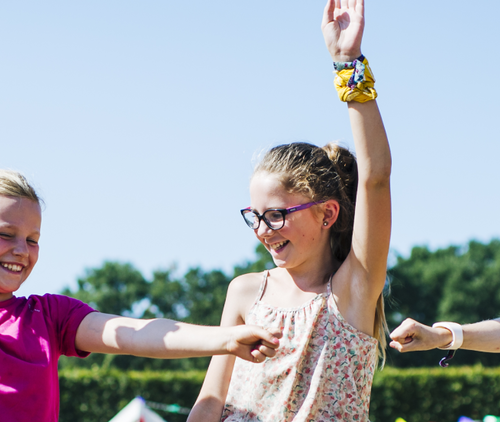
x,y
457,283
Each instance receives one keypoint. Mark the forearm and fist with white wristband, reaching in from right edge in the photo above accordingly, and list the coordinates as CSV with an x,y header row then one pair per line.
x,y
412,336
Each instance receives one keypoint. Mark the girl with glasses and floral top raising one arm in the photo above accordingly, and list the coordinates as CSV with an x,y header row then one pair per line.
x,y
326,221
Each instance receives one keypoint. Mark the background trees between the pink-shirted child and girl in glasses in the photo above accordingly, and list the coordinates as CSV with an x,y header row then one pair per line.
x,y
118,288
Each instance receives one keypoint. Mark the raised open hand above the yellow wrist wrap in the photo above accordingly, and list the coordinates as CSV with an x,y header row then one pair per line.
x,y
342,26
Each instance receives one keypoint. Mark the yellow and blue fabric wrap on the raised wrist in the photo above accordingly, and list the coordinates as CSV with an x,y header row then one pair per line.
x,y
354,80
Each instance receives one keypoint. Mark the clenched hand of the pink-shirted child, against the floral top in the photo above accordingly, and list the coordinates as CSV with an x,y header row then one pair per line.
x,y
253,343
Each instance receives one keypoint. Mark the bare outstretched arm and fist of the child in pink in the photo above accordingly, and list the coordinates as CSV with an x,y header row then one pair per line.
x,y
167,339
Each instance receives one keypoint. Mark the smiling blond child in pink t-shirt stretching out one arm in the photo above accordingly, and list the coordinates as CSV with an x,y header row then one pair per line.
x,y
35,331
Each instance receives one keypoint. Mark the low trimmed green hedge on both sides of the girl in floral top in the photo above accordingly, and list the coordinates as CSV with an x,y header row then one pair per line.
x,y
417,395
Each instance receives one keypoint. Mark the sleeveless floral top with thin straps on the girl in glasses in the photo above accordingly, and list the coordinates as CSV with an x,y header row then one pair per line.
x,y
323,370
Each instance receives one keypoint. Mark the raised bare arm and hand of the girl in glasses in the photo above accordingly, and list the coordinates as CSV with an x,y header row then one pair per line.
x,y
342,25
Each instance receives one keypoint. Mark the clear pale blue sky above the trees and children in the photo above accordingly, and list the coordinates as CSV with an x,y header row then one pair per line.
x,y
139,121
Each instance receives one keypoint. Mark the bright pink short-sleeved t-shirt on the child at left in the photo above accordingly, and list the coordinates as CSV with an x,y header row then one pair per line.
x,y
34,332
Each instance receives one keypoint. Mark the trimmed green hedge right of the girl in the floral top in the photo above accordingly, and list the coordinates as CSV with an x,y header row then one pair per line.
x,y
441,395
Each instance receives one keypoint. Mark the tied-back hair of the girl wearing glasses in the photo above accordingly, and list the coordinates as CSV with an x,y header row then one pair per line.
x,y
325,173
